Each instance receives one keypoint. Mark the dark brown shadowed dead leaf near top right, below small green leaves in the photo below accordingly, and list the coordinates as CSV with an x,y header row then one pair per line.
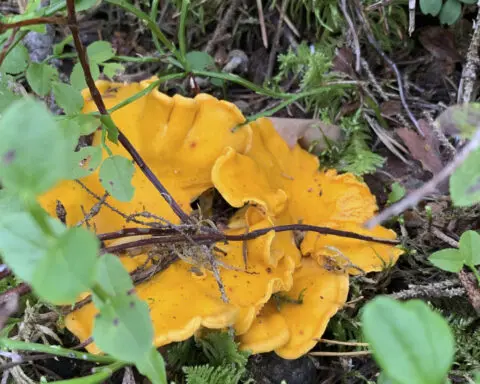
x,y
440,42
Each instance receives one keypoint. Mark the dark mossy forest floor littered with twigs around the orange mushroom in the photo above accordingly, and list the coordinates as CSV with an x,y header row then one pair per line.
x,y
395,79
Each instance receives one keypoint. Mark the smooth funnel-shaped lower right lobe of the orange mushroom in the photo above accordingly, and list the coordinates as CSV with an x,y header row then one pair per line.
x,y
316,295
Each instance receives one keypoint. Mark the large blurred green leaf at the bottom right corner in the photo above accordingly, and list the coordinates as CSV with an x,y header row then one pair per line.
x,y
410,342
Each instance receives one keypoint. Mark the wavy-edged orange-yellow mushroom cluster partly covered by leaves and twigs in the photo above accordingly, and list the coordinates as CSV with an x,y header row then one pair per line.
x,y
191,146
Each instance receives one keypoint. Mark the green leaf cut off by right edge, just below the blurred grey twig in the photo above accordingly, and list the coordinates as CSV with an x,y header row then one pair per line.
x,y
465,181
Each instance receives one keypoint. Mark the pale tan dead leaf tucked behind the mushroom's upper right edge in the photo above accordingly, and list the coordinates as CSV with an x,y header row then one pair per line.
x,y
306,132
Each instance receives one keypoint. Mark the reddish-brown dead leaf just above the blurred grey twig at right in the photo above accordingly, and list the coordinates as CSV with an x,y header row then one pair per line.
x,y
424,149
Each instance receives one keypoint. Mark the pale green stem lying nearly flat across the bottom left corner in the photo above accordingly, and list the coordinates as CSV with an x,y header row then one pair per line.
x,y
16,345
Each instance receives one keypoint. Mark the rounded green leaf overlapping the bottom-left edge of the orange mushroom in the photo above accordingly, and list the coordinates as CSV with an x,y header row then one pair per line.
x,y
123,328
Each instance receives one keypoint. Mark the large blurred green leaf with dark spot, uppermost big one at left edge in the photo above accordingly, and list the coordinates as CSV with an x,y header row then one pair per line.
x,y
33,149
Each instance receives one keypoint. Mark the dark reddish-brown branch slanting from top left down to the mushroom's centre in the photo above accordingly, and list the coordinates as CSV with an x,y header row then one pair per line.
x,y
97,98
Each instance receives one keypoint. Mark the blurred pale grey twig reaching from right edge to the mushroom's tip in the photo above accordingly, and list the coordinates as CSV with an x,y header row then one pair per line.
x,y
413,198
